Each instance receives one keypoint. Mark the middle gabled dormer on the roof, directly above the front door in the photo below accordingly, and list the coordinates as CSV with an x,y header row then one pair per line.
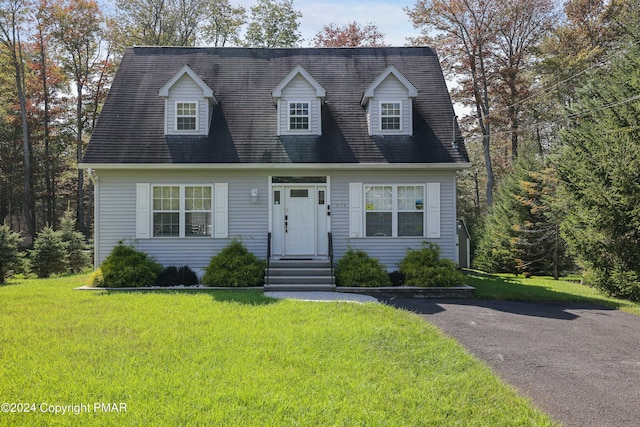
x,y
299,99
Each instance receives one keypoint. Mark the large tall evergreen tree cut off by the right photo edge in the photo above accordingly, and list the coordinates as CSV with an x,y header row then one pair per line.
x,y
599,165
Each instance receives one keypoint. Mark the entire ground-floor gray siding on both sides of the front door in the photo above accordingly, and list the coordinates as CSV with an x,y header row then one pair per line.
x,y
116,219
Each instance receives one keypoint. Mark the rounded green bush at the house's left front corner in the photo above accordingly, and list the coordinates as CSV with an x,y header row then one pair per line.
x,y
126,267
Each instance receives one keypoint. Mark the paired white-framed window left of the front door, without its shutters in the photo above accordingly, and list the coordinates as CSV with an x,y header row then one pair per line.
x,y
182,210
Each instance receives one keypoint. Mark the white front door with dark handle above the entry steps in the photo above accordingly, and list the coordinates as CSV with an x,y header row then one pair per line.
x,y
299,221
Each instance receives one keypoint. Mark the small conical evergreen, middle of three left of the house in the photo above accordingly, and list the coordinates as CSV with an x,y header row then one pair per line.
x,y
49,255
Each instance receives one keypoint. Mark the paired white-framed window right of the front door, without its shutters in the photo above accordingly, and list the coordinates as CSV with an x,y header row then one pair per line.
x,y
394,210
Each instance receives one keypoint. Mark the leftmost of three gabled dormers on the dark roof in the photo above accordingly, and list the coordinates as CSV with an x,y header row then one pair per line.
x,y
189,104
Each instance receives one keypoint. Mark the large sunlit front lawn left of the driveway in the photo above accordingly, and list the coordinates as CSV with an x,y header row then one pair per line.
x,y
237,358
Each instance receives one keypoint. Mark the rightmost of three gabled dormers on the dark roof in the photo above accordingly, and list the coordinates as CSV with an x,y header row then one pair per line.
x,y
388,103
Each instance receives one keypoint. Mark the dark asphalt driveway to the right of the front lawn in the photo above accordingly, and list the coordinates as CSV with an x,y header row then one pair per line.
x,y
580,363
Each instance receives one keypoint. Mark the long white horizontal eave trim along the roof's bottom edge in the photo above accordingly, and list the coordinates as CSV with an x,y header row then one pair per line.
x,y
277,166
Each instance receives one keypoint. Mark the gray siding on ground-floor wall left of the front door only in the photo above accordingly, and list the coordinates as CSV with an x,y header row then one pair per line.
x,y
117,204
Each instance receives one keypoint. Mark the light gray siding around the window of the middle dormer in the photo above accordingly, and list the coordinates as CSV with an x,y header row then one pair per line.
x,y
299,90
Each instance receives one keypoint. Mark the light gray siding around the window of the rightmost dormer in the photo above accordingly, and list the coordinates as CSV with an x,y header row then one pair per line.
x,y
390,90
